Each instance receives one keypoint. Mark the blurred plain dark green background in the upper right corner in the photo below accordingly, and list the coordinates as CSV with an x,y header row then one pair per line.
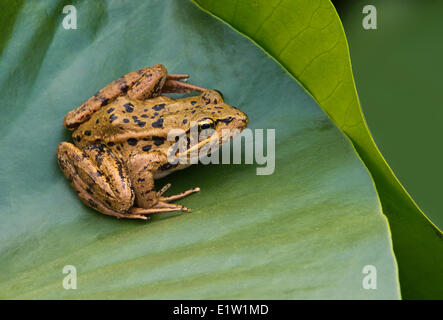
x,y
398,73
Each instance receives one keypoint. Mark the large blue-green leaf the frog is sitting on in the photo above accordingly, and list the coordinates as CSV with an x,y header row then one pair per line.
x,y
306,231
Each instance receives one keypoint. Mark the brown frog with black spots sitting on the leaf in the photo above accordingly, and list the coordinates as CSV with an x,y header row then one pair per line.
x,y
121,146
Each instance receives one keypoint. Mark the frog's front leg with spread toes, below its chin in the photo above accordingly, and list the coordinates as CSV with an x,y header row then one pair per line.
x,y
147,199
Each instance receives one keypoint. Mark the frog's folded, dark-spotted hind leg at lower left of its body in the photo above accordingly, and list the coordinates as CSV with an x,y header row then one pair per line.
x,y
99,178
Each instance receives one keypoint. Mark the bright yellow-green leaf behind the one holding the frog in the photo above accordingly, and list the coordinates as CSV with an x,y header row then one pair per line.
x,y
307,39
